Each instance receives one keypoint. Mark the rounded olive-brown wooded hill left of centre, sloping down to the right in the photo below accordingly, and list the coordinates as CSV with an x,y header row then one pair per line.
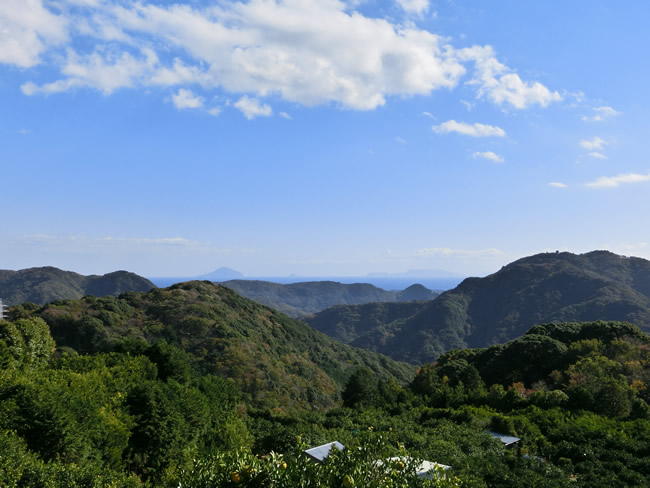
x,y
276,361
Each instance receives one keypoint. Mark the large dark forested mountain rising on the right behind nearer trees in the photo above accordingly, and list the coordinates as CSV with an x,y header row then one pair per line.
x,y
548,287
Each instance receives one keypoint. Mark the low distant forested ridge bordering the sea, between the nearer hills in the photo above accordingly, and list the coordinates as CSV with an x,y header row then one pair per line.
x,y
301,299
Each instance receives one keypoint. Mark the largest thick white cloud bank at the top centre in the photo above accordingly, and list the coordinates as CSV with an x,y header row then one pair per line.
x,y
310,52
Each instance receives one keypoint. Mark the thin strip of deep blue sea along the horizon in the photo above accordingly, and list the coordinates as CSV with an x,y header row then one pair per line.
x,y
385,282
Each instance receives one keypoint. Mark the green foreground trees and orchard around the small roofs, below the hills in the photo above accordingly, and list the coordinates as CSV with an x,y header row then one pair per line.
x,y
575,396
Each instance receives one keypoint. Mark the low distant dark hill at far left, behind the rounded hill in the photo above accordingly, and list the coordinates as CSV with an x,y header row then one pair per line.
x,y
46,284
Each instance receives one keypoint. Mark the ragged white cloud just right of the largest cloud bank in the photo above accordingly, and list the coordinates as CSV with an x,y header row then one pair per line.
x,y
500,85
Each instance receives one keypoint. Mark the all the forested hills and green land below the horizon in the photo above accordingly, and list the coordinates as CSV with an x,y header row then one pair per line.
x,y
198,385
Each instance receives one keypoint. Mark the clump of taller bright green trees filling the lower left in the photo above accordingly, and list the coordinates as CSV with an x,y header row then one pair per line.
x,y
113,414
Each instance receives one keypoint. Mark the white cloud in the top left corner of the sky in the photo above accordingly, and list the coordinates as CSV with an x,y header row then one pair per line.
x,y
27,28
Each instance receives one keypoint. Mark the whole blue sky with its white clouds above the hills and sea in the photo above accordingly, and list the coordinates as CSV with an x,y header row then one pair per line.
x,y
321,138
